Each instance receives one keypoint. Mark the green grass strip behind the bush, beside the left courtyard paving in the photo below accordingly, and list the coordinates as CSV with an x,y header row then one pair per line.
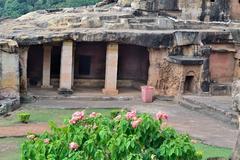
x,y
41,115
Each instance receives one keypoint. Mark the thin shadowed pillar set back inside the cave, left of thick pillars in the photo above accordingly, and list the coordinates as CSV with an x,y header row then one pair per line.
x,y
46,67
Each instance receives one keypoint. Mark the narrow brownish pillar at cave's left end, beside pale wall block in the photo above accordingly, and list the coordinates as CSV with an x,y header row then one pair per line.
x,y
23,56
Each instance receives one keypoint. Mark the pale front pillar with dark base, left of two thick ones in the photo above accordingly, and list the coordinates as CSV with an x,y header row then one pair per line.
x,y
66,70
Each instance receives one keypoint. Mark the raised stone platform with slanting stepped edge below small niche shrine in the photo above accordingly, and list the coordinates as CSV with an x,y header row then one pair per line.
x,y
218,107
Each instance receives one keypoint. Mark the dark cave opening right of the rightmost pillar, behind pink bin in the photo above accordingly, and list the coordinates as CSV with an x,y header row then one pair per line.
x,y
133,65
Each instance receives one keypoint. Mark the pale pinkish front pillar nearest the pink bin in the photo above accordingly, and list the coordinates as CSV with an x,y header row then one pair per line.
x,y
111,69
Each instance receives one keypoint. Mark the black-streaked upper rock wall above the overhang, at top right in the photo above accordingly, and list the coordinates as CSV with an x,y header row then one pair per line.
x,y
204,10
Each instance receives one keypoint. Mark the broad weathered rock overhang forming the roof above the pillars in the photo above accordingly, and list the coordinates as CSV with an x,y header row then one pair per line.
x,y
117,24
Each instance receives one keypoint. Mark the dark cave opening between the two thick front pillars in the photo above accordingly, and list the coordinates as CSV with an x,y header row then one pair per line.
x,y
89,67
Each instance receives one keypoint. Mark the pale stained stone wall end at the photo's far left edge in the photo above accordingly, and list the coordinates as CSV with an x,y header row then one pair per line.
x,y
9,71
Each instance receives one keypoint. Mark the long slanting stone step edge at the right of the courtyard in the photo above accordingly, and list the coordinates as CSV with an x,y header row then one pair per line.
x,y
227,117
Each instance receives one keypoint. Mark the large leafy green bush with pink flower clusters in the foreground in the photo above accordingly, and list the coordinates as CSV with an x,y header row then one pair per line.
x,y
97,137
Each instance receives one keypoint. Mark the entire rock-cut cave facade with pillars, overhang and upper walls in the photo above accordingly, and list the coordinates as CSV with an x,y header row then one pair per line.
x,y
179,47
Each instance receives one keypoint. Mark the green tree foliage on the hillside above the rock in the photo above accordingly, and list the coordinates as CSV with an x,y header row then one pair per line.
x,y
16,8
